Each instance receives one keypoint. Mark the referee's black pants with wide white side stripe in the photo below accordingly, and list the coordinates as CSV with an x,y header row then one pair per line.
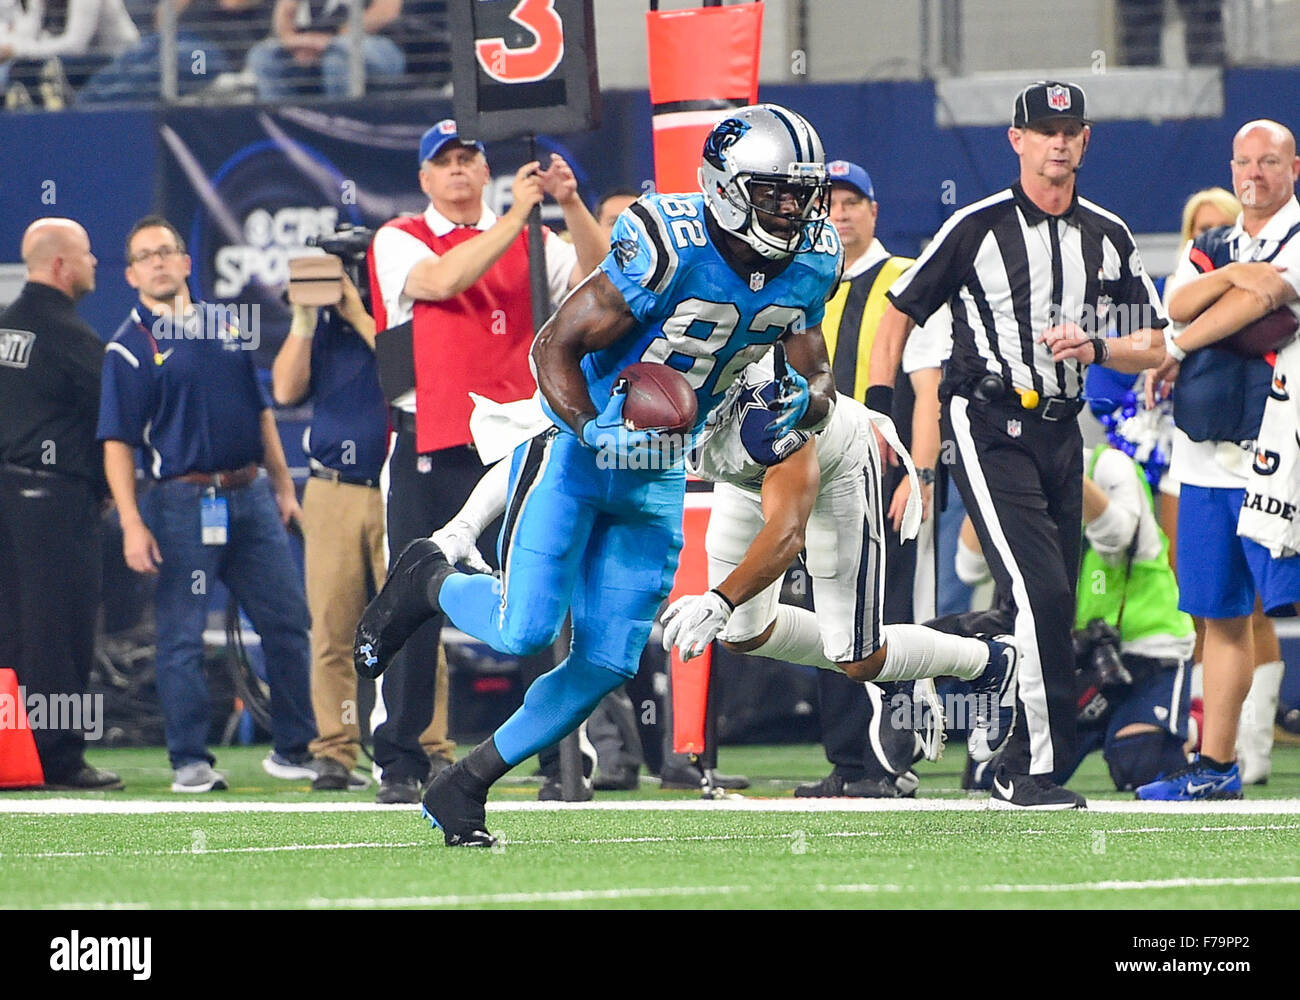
x,y
1022,480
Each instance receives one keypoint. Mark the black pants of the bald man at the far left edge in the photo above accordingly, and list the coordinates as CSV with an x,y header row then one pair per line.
x,y
50,587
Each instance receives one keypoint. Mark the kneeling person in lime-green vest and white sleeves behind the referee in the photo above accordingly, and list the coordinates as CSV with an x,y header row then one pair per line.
x,y
1133,646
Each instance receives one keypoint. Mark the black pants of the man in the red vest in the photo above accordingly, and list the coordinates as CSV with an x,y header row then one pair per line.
x,y
419,504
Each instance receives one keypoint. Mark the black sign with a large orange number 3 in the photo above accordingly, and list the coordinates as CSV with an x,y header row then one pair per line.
x,y
523,67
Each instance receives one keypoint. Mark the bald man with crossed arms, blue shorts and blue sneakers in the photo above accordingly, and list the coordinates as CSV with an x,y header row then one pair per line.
x,y
1228,279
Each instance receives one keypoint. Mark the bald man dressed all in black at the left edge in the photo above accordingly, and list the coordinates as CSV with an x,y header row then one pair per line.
x,y
51,488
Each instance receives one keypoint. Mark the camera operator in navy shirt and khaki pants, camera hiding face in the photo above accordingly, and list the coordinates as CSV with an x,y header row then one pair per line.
x,y
330,360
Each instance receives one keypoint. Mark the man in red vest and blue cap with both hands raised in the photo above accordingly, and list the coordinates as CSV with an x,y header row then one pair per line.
x,y
453,283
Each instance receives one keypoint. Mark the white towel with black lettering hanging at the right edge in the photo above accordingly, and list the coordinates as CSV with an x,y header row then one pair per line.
x,y
1271,513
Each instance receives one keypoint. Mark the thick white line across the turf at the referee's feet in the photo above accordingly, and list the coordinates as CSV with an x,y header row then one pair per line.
x,y
141,807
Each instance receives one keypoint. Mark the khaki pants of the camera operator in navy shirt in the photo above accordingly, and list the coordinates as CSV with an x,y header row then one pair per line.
x,y
344,543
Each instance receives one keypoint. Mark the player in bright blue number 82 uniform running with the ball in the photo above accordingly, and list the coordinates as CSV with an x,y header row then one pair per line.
x,y
704,283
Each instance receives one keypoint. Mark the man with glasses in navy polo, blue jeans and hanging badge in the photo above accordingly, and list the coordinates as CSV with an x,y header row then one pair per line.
x,y
180,384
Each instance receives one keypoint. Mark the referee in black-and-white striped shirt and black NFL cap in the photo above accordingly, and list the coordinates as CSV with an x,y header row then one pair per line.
x,y
1035,278
